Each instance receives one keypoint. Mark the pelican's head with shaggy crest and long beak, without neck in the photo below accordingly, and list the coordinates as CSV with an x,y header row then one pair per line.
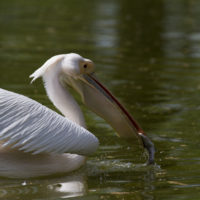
x,y
72,70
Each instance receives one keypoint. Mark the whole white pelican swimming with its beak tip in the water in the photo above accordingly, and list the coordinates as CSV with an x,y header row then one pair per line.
x,y
37,141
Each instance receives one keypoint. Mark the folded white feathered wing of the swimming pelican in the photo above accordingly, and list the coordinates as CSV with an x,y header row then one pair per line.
x,y
31,127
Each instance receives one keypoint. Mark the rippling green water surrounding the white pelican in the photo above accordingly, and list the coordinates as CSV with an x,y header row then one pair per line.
x,y
148,54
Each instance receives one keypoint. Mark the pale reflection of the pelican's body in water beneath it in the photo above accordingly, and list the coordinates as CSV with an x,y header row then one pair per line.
x,y
69,186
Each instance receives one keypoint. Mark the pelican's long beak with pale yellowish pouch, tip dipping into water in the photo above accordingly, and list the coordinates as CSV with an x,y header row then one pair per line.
x,y
100,100
